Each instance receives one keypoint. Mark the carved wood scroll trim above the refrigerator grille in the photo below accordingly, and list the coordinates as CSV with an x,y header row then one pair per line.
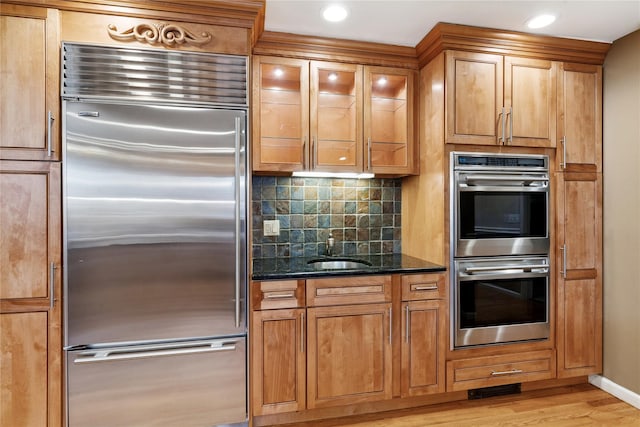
x,y
166,34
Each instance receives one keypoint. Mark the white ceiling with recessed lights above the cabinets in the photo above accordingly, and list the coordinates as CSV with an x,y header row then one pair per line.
x,y
405,23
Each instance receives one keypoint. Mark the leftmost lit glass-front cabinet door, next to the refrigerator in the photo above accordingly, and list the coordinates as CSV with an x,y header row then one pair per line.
x,y
280,114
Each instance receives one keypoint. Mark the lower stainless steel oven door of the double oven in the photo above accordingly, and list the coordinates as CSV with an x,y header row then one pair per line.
x,y
501,300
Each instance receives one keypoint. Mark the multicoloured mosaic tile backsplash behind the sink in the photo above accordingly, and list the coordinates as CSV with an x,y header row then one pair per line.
x,y
362,214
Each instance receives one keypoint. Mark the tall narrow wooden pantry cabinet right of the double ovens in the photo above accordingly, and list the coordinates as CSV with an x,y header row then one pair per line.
x,y
579,220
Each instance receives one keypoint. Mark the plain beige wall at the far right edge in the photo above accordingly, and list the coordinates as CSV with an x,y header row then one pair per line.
x,y
621,122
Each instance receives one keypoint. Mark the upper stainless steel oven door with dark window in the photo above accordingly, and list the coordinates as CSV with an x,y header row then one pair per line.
x,y
501,213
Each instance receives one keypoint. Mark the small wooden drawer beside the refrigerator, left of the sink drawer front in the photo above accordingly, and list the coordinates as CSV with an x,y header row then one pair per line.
x,y
276,294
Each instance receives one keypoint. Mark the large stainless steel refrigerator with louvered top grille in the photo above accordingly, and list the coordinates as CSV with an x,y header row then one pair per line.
x,y
155,245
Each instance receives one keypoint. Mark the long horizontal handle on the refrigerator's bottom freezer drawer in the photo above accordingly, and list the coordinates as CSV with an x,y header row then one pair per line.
x,y
108,355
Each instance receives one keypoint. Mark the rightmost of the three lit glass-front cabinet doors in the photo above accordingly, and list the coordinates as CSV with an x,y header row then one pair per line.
x,y
389,121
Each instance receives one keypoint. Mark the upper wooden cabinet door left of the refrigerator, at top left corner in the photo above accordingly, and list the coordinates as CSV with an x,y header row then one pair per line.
x,y
29,83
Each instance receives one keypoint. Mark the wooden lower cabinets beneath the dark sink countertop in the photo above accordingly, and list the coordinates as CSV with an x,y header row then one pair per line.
x,y
329,342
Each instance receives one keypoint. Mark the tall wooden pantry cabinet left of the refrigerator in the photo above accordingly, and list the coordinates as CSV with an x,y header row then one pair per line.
x,y
30,235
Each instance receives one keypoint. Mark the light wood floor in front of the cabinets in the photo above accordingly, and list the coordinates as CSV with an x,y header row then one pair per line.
x,y
577,405
